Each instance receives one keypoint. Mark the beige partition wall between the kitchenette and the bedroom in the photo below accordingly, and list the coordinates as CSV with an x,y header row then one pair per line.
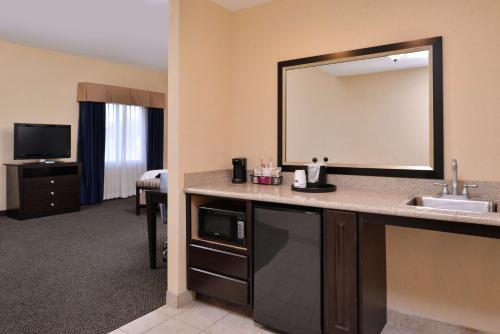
x,y
199,63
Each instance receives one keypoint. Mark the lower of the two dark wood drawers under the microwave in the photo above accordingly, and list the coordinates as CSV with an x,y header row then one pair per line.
x,y
211,284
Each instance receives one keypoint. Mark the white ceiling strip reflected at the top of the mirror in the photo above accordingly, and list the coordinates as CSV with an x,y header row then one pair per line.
x,y
393,62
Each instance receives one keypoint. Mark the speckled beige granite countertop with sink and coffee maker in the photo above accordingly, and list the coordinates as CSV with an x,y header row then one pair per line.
x,y
380,202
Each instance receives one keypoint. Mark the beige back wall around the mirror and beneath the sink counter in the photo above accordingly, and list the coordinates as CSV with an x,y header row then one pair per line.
x,y
288,29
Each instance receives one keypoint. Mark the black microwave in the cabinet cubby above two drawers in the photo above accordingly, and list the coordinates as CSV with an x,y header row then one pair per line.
x,y
222,223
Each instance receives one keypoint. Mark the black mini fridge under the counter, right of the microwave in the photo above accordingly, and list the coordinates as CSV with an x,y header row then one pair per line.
x,y
287,269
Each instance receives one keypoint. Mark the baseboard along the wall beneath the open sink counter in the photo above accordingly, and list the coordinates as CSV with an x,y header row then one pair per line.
x,y
414,323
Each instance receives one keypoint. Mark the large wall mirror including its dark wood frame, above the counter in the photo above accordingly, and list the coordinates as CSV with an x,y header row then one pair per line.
x,y
373,111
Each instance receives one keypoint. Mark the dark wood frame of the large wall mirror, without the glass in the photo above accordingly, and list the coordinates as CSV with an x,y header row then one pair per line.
x,y
437,112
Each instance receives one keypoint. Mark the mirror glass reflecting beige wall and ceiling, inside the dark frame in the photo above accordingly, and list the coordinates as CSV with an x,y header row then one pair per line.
x,y
373,112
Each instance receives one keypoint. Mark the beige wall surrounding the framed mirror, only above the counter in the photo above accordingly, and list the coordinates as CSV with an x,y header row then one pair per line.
x,y
288,29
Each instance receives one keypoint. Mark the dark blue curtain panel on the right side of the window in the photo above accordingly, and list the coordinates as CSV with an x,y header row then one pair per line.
x,y
155,138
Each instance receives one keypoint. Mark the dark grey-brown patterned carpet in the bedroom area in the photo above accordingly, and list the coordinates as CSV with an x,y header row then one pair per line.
x,y
83,272
